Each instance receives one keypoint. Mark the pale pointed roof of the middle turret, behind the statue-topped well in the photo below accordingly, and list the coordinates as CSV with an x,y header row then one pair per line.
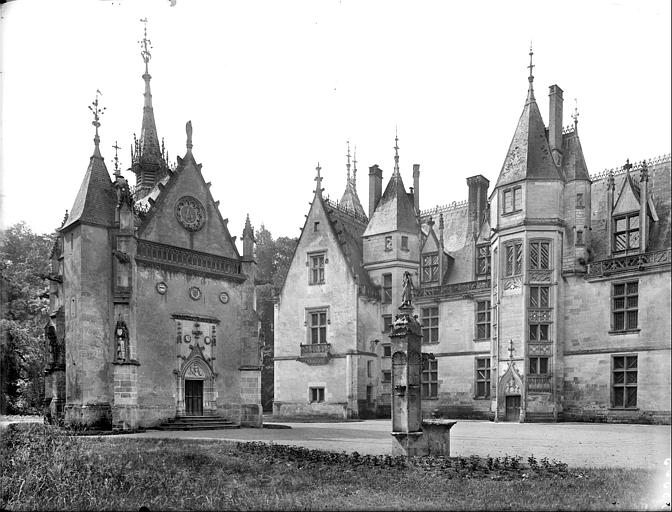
x,y
394,212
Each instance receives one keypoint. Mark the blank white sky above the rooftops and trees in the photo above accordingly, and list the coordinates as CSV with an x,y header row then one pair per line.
x,y
274,87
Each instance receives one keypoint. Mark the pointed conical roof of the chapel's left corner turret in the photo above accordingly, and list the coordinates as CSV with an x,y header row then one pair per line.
x,y
96,199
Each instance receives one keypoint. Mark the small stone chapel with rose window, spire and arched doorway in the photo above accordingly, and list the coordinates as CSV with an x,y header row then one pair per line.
x,y
152,303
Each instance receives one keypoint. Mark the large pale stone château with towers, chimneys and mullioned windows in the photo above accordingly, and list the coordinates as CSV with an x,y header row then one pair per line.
x,y
545,298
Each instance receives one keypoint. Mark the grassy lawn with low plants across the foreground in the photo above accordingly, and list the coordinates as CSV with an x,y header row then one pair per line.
x,y
44,468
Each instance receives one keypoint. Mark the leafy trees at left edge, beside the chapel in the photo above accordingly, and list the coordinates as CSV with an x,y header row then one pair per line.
x,y
24,258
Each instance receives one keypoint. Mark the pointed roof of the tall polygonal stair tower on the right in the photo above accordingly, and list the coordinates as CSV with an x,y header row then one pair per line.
x,y
529,155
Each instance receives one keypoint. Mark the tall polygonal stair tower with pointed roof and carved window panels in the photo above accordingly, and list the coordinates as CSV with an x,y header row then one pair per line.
x,y
527,225
